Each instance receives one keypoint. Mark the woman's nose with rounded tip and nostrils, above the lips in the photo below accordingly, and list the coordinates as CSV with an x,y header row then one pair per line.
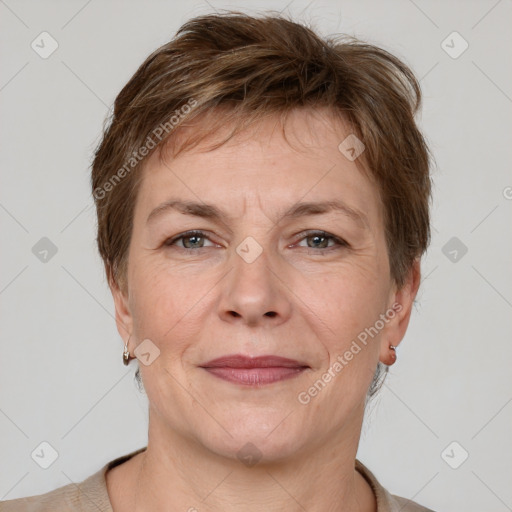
x,y
255,293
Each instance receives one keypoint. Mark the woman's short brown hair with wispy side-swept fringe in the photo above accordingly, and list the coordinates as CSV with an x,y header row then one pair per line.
x,y
254,67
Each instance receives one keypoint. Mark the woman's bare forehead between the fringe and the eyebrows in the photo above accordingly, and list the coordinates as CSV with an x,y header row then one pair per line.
x,y
261,166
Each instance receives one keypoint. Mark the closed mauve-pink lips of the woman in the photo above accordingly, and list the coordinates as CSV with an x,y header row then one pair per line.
x,y
254,371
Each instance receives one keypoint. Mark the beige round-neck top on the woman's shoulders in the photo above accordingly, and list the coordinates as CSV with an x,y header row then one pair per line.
x,y
91,495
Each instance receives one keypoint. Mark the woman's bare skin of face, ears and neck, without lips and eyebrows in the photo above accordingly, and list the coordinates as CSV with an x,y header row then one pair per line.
x,y
298,299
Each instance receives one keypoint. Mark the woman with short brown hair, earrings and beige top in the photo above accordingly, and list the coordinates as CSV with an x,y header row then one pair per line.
x,y
263,204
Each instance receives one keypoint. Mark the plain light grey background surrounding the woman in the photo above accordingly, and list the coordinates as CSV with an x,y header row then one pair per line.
x,y
61,376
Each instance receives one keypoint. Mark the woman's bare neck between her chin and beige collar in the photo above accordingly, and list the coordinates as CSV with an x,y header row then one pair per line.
x,y
177,470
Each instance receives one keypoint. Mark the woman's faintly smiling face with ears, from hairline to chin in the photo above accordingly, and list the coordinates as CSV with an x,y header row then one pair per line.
x,y
259,282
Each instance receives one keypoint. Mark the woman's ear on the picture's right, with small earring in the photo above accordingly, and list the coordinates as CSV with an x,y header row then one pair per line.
x,y
401,302
